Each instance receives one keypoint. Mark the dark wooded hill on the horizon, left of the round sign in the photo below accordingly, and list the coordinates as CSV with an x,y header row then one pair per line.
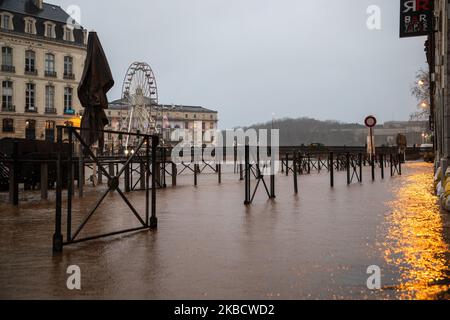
x,y
307,131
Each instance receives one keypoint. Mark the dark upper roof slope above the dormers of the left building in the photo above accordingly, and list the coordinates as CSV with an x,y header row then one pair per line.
x,y
27,7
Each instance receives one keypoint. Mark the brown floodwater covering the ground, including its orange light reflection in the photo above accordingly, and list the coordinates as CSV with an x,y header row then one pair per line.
x,y
316,245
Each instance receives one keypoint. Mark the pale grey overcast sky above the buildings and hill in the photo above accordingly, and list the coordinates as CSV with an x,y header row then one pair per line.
x,y
249,59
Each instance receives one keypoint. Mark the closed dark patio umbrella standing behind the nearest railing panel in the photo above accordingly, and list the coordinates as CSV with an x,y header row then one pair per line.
x,y
96,81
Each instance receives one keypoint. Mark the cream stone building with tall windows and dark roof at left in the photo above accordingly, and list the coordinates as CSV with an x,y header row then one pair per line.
x,y
42,60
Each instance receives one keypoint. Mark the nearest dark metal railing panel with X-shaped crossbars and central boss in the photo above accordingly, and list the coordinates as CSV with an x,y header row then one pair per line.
x,y
147,146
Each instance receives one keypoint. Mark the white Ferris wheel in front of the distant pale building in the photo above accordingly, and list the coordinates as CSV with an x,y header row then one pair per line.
x,y
140,99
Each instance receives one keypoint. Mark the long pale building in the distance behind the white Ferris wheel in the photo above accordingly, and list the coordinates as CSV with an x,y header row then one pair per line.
x,y
169,119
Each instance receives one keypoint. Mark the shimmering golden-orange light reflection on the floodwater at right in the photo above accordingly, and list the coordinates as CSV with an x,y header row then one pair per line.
x,y
415,242
